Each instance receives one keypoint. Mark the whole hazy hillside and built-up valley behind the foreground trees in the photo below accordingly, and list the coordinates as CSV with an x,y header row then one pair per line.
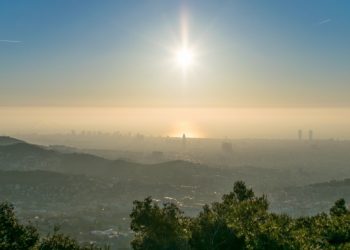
x,y
91,194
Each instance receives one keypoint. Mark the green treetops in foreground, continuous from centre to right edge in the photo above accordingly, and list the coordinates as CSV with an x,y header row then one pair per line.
x,y
240,221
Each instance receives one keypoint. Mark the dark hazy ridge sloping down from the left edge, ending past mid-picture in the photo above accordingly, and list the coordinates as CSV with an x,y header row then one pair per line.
x,y
24,156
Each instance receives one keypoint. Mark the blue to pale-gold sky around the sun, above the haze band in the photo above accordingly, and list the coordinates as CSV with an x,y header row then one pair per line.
x,y
246,54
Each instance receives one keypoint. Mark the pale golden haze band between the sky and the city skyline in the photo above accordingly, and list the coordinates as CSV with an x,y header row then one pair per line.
x,y
235,123
